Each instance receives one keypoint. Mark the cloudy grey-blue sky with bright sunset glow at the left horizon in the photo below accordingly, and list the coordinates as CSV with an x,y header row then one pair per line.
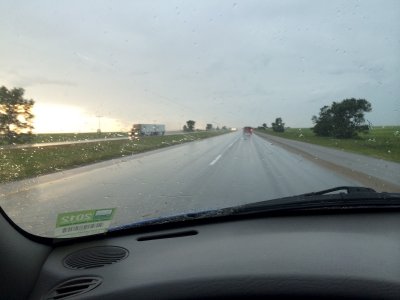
x,y
228,63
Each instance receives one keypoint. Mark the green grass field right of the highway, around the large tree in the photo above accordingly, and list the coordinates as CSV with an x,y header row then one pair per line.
x,y
381,142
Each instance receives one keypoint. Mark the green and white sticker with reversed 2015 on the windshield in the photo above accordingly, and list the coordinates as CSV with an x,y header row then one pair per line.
x,y
84,222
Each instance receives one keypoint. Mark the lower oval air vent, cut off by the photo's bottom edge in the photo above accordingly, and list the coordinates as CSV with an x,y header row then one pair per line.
x,y
73,287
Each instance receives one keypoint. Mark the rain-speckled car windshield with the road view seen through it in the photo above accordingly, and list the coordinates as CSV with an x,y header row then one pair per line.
x,y
113,113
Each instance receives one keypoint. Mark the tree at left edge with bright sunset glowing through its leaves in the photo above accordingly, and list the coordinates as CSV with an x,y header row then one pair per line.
x,y
15,115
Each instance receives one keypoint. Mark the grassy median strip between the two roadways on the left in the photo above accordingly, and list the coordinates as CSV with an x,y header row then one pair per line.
x,y
29,162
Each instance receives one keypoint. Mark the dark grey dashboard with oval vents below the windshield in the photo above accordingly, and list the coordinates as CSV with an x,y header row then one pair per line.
x,y
353,255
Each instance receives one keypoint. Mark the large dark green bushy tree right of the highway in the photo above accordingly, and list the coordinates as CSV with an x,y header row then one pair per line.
x,y
342,119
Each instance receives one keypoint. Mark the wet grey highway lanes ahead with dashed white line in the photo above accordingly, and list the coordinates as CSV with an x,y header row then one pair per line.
x,y
218,172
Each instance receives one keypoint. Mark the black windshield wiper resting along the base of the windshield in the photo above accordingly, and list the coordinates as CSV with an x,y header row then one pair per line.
x,y
355,197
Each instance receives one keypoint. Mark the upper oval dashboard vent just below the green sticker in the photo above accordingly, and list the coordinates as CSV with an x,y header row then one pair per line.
x,y
95,257
